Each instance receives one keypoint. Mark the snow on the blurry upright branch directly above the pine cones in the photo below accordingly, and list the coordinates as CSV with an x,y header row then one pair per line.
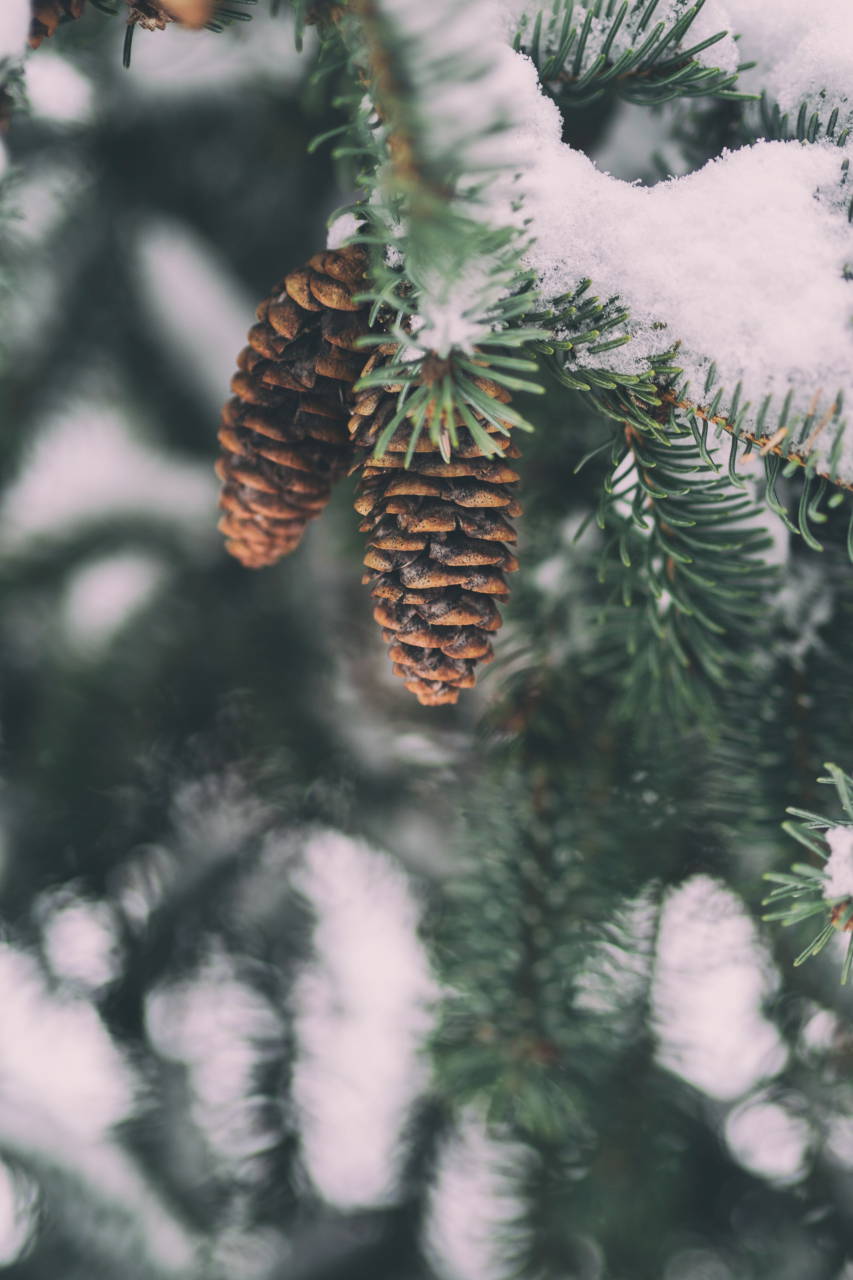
x,y
446,89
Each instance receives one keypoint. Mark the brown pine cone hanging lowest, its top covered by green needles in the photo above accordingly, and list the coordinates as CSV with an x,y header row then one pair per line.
x,y
437,546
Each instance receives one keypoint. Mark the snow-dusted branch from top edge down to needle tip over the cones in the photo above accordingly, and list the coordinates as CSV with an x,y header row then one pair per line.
x,y
448,286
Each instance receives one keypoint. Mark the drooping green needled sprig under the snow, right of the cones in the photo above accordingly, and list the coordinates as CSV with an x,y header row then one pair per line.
x,y
685,551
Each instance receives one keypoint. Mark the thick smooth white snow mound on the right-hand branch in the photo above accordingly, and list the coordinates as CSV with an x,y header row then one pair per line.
x,y
745,266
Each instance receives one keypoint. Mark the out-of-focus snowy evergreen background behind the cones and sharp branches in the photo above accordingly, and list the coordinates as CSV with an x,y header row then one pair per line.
x,y
299,979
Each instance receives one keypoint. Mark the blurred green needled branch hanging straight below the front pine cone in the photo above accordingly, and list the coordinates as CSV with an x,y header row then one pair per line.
x,y
504,1035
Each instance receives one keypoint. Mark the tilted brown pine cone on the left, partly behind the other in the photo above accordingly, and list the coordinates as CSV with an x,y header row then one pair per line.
x,y
285,433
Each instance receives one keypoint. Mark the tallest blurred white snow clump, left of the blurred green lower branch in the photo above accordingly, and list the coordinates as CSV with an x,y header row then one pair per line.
x,y
362,1017
